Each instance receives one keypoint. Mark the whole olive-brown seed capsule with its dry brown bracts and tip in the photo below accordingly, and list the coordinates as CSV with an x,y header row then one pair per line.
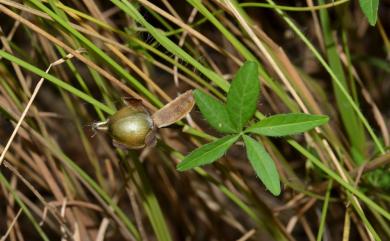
x,y
134,127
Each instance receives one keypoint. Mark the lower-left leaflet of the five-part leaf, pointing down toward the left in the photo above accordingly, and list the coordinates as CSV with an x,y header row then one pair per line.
x,y
208,153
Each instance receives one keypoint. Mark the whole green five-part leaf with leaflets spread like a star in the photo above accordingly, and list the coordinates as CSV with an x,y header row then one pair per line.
x,y
231,118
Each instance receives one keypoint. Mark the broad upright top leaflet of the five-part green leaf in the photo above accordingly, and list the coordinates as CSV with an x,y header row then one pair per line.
x,y
243,94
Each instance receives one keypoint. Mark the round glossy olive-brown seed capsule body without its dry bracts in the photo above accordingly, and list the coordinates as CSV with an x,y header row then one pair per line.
x,y
131,126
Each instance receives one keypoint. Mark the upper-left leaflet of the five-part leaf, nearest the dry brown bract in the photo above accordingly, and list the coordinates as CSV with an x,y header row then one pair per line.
x,y
214,112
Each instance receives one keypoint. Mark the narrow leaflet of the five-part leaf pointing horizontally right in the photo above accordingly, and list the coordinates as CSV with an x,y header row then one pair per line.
x,y
287,124
